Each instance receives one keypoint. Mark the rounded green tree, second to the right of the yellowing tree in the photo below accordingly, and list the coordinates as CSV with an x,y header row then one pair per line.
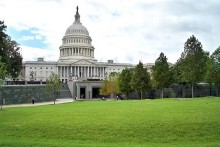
x,y
140,81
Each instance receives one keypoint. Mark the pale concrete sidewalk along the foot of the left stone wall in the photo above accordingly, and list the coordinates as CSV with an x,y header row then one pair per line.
x,y
58,101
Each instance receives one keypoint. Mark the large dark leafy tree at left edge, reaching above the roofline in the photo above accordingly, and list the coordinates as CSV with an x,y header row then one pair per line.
x,y
10,52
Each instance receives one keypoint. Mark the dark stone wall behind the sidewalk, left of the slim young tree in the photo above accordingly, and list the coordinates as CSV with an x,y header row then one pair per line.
x,y
17,94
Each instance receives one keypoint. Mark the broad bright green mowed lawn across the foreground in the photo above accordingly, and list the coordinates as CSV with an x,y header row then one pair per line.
x,y
163,122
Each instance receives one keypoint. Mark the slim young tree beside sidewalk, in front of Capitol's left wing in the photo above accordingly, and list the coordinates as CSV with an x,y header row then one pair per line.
x,y
53,85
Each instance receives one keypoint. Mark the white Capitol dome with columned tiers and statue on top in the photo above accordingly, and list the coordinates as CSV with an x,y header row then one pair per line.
x,y
77,44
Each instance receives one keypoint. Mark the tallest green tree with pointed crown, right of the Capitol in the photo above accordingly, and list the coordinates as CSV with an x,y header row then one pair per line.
x,y
193,62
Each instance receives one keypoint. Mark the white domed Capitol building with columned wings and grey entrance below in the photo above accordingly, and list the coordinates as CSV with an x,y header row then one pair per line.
x,y
76,66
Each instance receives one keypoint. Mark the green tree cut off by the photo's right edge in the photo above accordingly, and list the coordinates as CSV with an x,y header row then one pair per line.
x,y
213,69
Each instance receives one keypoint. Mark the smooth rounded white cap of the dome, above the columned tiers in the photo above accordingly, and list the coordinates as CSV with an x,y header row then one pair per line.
x,y
76,28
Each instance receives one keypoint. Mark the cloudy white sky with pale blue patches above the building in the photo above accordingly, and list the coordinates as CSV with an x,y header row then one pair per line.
x,y
126,31
